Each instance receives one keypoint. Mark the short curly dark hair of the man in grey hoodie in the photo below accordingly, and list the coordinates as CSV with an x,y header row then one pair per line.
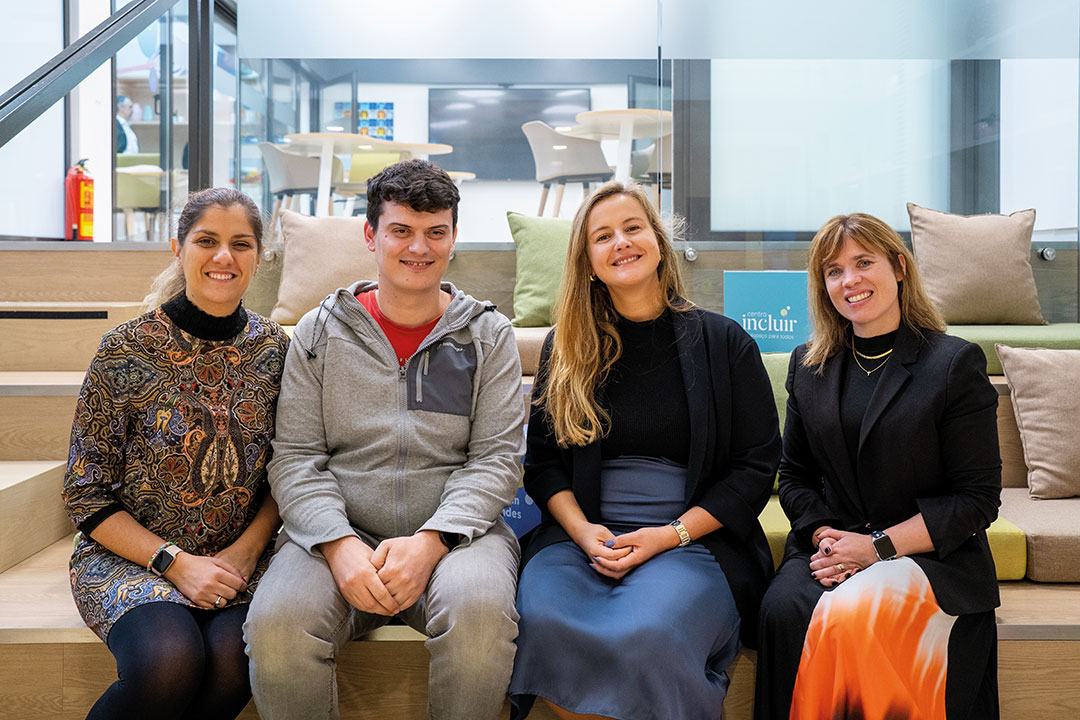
x,y
423,186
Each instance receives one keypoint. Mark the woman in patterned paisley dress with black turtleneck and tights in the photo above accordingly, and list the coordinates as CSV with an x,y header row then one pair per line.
x,y
167,474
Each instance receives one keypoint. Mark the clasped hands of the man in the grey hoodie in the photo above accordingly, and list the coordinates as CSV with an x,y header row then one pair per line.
x,y
389,579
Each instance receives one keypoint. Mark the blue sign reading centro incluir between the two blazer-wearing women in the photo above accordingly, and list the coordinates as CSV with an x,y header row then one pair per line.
x,y
771,305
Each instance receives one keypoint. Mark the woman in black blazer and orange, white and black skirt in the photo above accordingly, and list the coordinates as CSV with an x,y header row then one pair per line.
x,y
884,605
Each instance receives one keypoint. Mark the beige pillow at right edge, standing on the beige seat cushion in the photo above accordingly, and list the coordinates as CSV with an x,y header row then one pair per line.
x,y
1046,400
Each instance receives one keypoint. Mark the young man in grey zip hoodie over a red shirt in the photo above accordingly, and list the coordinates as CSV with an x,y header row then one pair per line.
x,y
398,443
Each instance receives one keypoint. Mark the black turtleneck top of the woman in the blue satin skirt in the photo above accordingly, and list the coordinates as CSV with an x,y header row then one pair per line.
x,y
645,397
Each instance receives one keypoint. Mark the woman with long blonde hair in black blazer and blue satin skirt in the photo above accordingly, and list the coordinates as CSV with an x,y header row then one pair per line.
x,y
653,446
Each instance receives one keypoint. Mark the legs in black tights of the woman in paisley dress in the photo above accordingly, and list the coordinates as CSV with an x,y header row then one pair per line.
x,y
177,662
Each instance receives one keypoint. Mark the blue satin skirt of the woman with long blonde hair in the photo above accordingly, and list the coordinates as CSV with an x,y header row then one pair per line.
x,y
652,646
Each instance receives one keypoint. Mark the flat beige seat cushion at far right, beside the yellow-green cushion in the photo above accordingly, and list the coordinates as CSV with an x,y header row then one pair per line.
x,y
1052,528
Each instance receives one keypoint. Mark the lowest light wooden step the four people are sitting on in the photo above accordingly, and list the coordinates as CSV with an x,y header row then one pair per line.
x,y
56,668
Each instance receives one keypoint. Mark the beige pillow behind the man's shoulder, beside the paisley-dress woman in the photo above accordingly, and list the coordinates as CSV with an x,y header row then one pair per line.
x,y
321,255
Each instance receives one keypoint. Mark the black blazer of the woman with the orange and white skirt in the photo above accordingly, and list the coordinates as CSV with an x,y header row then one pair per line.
x,y
929,444
